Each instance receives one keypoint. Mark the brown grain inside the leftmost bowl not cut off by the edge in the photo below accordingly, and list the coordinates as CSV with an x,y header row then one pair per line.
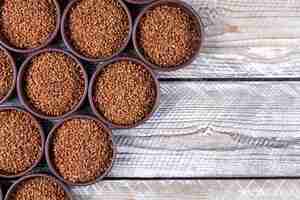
x,y
54,83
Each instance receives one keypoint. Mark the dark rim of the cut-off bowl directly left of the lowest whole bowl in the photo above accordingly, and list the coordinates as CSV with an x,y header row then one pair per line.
x,y
3,108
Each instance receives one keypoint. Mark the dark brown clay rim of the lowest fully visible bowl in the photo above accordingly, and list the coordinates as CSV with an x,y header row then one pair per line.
x,y
48,148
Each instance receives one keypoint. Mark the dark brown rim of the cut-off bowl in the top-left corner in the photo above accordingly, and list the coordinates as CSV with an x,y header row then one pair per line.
x,y
48,41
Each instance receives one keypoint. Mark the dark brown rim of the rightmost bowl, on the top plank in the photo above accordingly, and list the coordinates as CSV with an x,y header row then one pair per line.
x,y
173,3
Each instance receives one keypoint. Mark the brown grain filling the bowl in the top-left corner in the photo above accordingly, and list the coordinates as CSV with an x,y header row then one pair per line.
x,y
27,24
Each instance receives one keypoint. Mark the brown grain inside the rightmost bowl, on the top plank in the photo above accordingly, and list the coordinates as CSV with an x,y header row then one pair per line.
x,y
167,36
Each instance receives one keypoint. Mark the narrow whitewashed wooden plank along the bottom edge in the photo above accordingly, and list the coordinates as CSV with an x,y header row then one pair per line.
x,y
279,189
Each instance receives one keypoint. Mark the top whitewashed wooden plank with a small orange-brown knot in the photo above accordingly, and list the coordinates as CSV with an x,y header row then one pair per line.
x,y
246,39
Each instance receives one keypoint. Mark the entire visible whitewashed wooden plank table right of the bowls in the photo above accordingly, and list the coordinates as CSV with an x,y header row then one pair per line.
x,y
234,114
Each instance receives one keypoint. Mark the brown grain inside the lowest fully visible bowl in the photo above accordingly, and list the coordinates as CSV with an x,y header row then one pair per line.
x,y
81,150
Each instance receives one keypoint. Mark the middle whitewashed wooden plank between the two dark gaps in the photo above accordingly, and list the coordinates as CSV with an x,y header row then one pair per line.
x,y
216,129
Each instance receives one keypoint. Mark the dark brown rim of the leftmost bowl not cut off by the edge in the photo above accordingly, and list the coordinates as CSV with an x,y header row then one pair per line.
x,y
22,95
